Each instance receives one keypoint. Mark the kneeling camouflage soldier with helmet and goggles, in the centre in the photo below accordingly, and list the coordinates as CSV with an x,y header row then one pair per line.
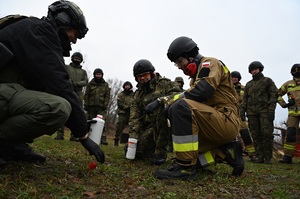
x,y
150,128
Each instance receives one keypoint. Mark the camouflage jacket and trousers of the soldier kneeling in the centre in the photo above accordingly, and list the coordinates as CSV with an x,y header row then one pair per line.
x,y
150,130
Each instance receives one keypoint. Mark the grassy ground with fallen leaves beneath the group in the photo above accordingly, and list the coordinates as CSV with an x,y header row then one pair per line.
x,y
66,175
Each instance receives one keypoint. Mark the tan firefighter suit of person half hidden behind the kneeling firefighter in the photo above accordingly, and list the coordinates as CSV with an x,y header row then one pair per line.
x,y
244,135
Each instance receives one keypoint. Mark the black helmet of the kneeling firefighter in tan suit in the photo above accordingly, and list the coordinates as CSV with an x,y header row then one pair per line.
x,y
182,47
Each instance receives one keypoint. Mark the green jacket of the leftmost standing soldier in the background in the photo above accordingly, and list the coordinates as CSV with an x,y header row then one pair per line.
x,y
77,76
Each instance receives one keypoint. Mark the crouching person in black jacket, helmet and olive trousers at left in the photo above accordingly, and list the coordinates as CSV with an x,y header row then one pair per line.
x,y
36,96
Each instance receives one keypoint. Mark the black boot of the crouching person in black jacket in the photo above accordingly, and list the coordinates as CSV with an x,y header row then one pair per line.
x,y
21,152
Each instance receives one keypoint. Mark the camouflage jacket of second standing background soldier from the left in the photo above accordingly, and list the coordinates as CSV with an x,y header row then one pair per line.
x,y
97,94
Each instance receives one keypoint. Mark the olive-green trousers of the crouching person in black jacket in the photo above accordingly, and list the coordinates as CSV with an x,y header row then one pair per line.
x,y
27,114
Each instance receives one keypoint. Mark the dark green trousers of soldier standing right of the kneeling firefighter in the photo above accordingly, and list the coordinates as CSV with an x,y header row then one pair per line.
x,y
262,135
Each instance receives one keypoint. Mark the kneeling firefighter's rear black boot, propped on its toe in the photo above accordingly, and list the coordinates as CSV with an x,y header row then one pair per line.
x,y
235,157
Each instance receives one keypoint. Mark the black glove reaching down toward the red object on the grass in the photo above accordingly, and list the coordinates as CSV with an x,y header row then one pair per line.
x,y
93,149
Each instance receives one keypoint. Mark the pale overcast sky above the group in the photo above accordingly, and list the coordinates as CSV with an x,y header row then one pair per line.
x,y
234,31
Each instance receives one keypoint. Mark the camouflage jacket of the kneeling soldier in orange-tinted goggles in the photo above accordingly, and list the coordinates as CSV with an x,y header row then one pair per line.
x,y
158,87
